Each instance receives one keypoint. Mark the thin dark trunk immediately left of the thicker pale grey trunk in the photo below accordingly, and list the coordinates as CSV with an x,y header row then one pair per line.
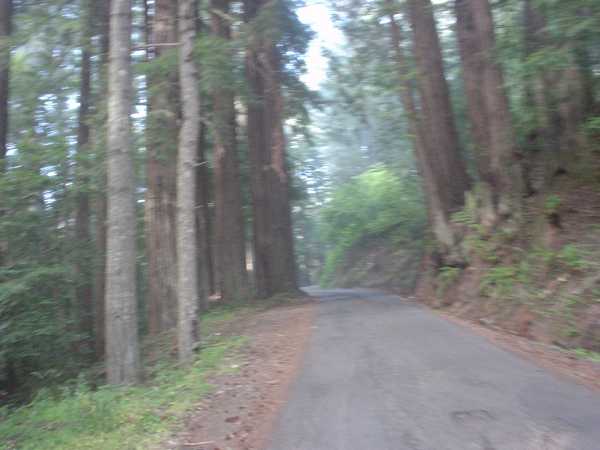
x,y
100,205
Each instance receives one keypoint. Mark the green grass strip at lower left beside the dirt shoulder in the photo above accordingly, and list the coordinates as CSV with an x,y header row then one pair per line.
x,y
119,417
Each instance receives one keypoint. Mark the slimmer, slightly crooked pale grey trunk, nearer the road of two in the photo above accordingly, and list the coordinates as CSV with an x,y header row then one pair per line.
x,y
186,180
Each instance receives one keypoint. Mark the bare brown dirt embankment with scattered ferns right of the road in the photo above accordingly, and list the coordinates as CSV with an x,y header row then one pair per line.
x,y
541,282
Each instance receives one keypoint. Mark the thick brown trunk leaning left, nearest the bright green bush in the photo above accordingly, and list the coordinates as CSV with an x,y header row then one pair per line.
x,y
441,147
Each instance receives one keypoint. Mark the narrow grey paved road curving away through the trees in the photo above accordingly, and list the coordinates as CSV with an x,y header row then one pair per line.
x,y
384,374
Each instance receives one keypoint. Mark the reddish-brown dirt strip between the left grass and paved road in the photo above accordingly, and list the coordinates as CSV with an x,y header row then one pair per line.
x,y
239,413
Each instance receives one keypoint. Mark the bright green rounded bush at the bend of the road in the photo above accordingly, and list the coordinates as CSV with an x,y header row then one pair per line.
x,y
371,204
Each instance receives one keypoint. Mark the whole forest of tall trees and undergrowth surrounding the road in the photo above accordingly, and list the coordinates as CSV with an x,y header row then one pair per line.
x,y
164,161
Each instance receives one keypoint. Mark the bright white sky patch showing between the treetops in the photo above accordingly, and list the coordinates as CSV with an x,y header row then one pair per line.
x,y
317,16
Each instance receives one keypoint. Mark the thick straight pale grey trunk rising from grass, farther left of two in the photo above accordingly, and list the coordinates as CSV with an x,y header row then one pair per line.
x,y
122,347
